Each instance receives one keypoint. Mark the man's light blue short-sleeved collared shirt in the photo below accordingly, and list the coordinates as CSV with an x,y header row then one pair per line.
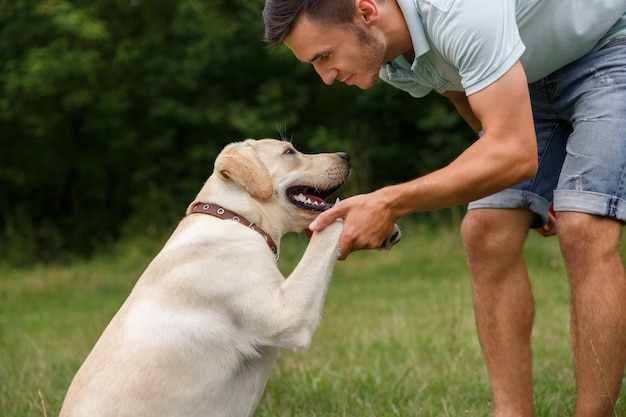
x,y
465,45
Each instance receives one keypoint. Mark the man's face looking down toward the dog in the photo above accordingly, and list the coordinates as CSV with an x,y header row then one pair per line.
x,y
347,54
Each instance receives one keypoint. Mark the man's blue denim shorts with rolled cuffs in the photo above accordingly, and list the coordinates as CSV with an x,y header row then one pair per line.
x,y
580,123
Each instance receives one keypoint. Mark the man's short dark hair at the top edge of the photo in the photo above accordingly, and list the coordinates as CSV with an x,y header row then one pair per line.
x,y
280,16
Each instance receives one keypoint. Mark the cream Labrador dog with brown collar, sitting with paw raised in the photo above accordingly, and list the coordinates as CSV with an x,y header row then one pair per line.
x,y
200,331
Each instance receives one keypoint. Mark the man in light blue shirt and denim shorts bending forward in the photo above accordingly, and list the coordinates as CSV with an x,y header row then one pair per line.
x,y
497,60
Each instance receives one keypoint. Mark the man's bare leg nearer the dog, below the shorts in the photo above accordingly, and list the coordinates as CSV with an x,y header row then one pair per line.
x,y
503,303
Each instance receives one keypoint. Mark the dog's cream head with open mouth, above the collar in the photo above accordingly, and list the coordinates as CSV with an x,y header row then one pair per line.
x,y
269,177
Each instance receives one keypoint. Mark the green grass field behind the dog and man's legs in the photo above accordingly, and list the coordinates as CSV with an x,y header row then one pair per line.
x,y
397,337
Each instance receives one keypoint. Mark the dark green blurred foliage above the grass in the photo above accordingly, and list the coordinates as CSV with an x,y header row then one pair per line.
x,y
112,111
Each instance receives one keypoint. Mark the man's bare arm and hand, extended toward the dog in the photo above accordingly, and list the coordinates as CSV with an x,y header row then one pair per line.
x,y
505,155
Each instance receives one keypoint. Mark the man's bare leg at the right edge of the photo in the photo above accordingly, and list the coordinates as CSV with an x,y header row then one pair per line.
x,y
590,246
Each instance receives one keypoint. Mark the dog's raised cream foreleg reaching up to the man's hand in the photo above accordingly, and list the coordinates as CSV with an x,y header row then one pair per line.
x,y
304,291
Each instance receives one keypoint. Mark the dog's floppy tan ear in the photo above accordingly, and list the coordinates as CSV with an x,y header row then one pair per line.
x,y
241,164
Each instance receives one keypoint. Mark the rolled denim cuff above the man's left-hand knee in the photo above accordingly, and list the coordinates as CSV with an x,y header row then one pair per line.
x,y
511,199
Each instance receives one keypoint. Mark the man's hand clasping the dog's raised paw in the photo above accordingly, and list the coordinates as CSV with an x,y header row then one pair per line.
x,y
367,223
